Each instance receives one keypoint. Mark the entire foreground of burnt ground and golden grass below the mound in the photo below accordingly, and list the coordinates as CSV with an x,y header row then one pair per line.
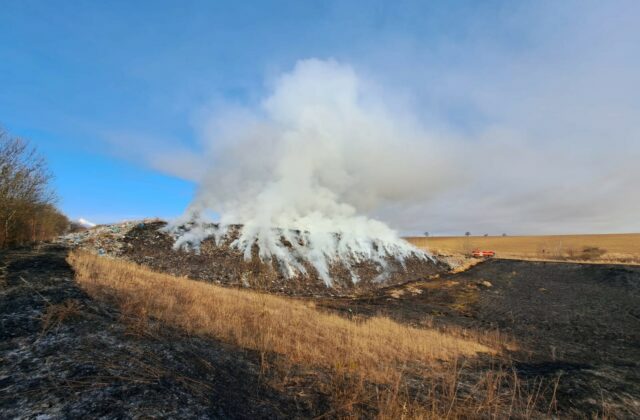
x,y
104,337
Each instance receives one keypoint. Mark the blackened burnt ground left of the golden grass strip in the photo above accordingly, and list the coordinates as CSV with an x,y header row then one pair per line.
x,y
85,360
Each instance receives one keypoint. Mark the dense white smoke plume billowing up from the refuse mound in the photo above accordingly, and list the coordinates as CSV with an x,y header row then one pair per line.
x,y
300,172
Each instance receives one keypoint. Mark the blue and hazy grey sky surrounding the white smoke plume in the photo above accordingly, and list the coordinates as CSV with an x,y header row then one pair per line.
x,y
532,108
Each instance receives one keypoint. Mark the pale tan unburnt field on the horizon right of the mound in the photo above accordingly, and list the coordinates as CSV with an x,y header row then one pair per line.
x,y
604,248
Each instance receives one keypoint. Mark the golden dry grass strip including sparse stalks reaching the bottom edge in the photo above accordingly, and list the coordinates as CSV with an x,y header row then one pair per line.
x,y
374,363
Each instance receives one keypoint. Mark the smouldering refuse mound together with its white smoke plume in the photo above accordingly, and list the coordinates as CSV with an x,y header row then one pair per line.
x,y
288,199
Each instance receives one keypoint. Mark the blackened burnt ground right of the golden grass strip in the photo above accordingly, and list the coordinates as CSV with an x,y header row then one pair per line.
x,y
579,322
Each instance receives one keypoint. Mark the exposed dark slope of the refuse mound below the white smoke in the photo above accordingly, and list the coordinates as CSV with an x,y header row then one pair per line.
x,y
147,244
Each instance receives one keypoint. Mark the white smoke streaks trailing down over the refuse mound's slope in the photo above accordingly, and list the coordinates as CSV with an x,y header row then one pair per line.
x,y
294,251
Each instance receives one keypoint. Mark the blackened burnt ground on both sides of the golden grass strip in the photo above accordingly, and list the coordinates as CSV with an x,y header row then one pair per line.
x,y
65,355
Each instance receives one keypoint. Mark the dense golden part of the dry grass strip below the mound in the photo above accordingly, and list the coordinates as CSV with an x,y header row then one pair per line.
x,y
269,323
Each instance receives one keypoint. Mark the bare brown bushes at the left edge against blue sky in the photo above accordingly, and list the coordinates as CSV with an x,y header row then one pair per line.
x,y
27,200
